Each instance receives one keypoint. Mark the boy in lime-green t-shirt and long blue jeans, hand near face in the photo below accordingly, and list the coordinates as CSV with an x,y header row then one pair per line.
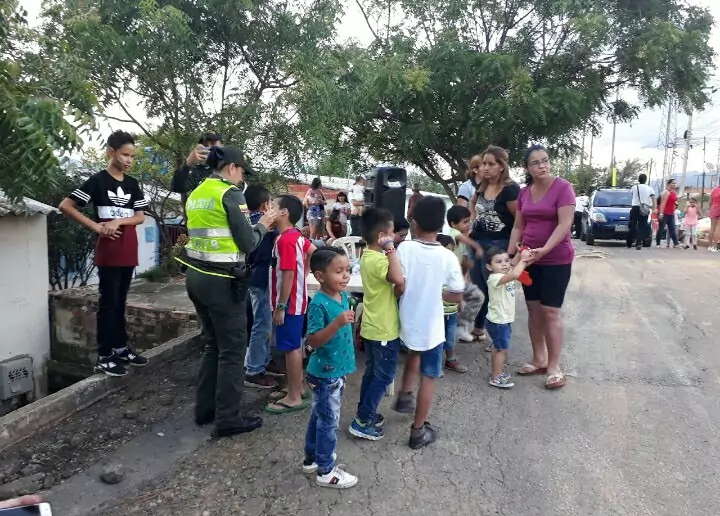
x,y
382,278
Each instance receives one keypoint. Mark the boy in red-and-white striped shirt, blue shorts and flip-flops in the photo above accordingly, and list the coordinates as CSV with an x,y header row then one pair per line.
x,y
289,299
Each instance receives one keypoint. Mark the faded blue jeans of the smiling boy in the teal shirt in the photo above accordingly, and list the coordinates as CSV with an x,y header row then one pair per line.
x,y
321,436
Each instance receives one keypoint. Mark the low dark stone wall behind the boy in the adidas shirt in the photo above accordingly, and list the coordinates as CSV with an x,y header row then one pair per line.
x,y
73,327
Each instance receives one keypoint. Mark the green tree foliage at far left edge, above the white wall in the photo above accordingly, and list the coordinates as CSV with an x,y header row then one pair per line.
x,y
45,104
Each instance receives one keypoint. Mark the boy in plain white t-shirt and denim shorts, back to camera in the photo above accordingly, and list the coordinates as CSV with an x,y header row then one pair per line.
x,y
427,268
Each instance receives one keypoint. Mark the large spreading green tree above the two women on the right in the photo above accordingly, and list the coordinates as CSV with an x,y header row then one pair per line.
x,y
442,79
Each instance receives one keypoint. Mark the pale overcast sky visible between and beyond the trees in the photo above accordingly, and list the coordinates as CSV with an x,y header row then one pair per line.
x,y
638,139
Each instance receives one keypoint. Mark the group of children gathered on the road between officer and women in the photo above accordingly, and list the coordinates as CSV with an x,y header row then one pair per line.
x,y
417,298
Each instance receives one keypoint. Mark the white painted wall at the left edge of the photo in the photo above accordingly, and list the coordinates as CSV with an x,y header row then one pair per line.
x,y
24,317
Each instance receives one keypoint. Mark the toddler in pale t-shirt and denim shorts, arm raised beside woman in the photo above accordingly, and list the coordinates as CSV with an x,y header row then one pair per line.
x,y
501,308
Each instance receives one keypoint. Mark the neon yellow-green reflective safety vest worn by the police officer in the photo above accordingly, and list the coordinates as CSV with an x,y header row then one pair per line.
x,y
208,226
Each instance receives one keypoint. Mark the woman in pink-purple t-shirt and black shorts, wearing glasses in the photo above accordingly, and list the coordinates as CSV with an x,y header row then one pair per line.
x,y
545,210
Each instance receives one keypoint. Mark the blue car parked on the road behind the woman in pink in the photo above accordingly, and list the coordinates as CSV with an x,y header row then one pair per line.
x,y
607,216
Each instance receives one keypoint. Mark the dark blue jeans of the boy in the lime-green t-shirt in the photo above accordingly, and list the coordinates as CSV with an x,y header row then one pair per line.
x,y
380,368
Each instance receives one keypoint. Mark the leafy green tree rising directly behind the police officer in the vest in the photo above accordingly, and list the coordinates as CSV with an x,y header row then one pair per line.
x,y
194,66
